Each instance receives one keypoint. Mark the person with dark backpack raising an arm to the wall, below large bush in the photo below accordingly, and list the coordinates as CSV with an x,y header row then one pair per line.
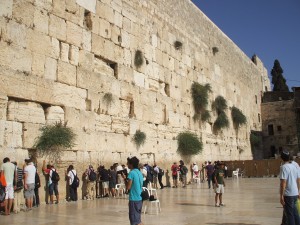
x,y
53,178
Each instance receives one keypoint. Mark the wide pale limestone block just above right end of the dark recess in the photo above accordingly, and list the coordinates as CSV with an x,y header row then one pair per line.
x,y
69,96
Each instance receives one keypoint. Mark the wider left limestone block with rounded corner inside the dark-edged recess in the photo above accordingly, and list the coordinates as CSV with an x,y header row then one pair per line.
x,y
29,112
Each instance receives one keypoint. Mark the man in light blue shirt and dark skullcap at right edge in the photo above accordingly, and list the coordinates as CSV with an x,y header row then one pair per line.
x,y
289,188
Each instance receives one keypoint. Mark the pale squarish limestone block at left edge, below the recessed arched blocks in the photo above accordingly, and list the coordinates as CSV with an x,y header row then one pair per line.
x,y
10,134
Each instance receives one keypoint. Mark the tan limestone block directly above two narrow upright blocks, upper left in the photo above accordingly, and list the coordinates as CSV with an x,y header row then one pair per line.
x,y
57,27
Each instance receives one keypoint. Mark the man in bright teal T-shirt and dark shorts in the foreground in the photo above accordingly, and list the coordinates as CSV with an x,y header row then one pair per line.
x,y
134,184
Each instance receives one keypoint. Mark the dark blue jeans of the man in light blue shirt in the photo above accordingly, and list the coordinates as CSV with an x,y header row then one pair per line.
x,y
290,210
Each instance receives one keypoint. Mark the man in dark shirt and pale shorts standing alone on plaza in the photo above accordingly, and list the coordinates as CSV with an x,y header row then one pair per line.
x,y
220,184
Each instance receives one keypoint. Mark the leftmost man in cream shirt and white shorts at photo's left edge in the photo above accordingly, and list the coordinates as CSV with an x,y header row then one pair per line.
x,y
8,169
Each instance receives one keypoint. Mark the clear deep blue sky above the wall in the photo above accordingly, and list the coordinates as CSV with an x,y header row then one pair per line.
x,y
268,28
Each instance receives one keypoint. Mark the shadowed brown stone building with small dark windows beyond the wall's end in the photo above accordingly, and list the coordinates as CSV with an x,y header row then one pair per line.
x,y
280,118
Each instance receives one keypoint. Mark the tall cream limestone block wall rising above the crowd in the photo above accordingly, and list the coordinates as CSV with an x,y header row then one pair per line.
x,y
59,58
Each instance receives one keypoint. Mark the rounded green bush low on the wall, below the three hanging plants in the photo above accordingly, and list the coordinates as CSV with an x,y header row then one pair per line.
x,y
189,144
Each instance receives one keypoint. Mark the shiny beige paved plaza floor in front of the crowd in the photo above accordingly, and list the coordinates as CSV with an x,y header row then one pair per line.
x,y
248,202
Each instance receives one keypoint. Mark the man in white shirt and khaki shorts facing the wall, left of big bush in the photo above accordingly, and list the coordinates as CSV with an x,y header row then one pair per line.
x,y
29,183
